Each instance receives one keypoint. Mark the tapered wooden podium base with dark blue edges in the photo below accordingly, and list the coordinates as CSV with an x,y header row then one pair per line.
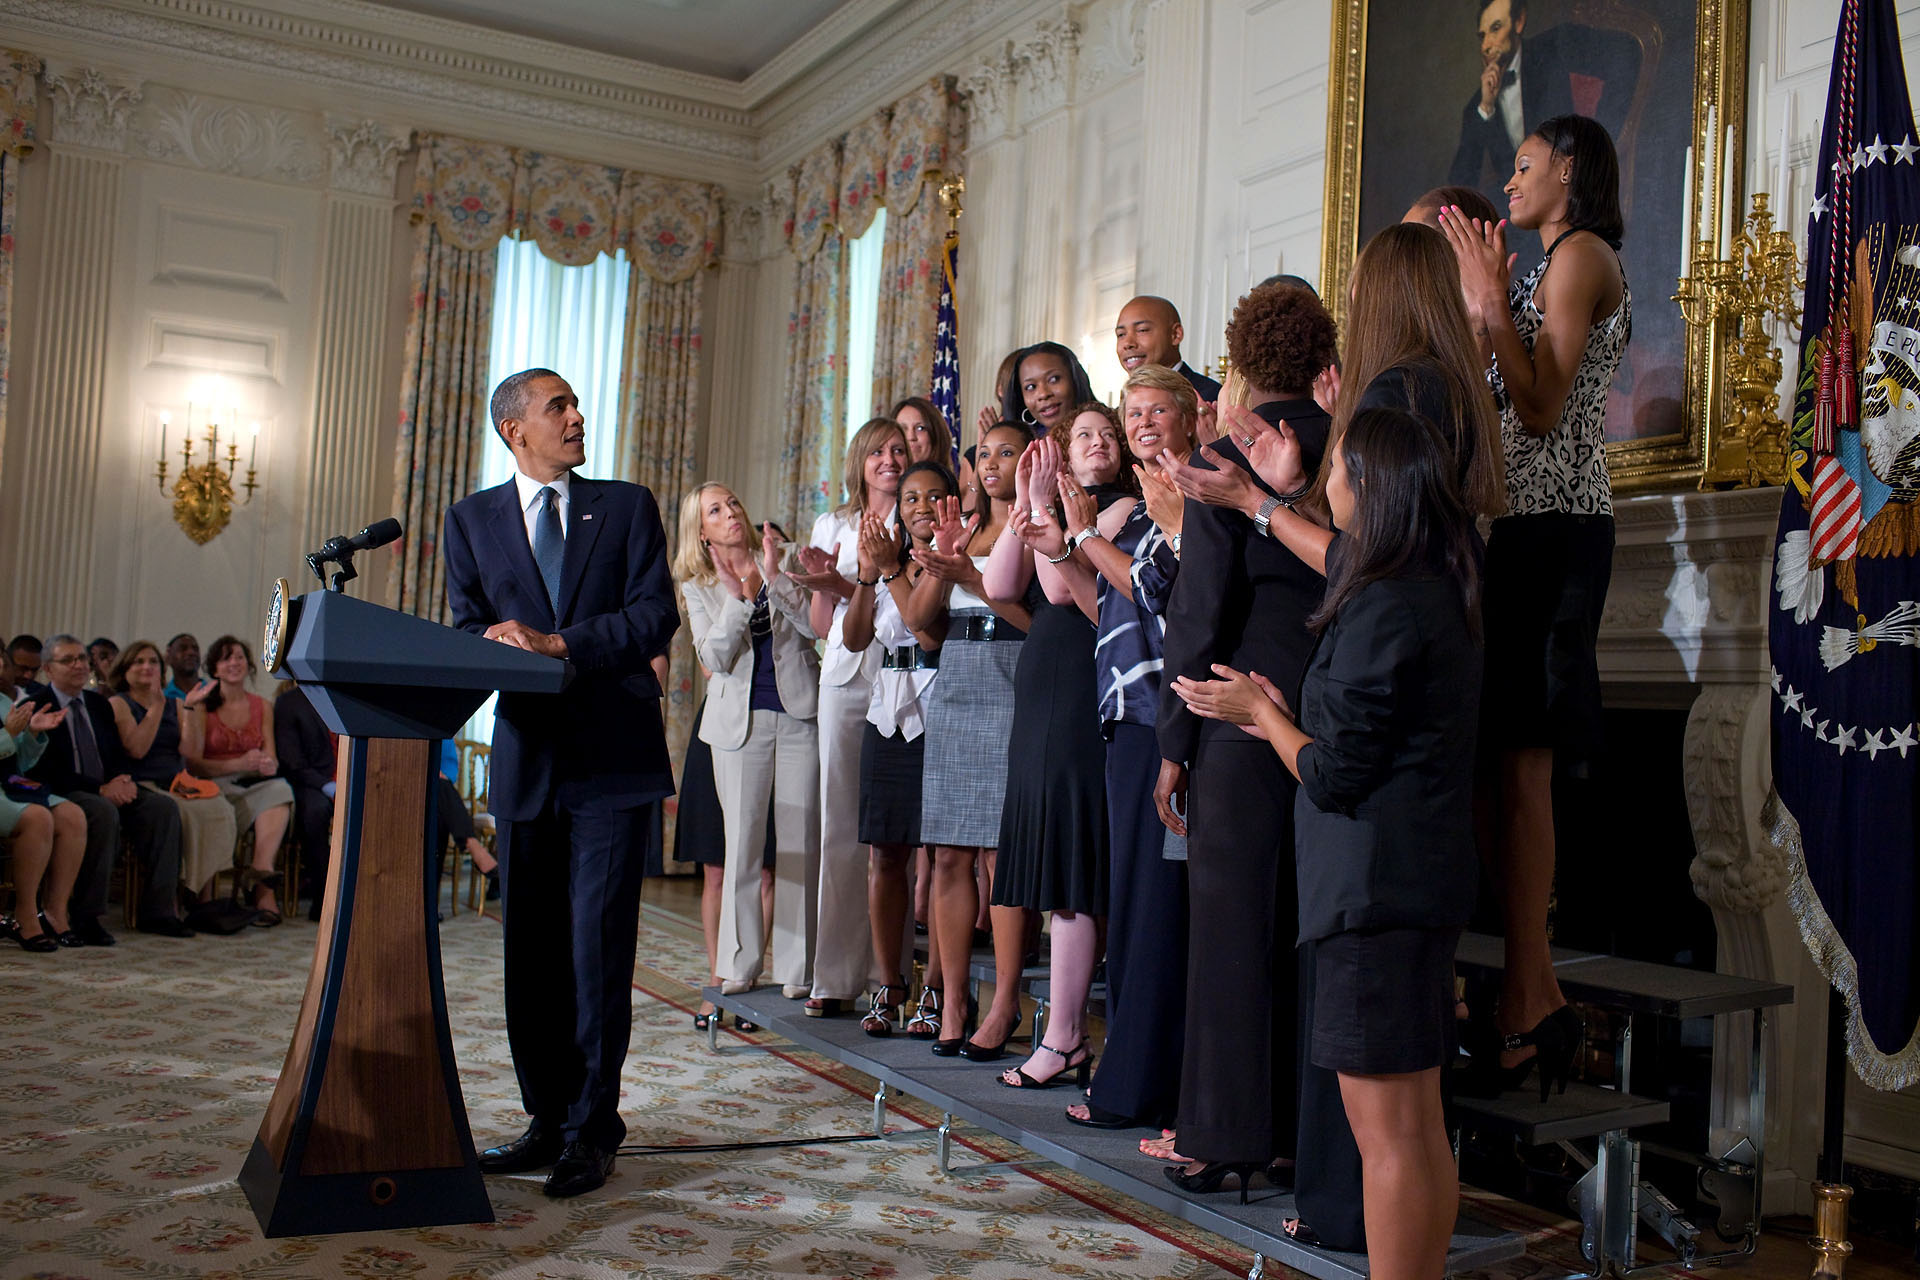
x,y
368,1126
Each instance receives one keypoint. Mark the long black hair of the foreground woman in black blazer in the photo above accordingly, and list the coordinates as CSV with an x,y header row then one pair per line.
x,y
1410,521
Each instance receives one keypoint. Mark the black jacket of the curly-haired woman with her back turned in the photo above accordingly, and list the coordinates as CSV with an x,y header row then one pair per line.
x,y
1241,598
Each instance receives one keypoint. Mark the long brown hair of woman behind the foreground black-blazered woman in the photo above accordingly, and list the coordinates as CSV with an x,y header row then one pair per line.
x,y
1408,312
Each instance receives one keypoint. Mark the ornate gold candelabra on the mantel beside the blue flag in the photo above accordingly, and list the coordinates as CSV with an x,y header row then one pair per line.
x,y
1733,298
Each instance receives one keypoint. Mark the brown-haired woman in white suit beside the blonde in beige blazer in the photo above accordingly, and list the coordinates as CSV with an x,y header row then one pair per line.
x,y
844,953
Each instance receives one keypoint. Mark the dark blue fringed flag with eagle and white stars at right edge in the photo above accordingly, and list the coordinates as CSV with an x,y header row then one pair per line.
x,y
1846,621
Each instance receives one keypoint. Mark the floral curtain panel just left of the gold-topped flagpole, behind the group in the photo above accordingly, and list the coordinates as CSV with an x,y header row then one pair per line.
x,y
924,147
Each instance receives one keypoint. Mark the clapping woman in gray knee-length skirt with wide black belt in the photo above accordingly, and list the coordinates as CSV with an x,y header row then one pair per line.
x,y
969,715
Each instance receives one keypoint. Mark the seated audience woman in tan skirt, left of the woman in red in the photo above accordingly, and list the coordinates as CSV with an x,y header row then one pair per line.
x,y
149,724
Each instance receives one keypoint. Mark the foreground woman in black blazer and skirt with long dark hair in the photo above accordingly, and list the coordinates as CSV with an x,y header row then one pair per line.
x,y
1383,751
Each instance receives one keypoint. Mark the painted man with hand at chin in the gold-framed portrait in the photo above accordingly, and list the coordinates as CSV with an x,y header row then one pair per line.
x,y
1560,72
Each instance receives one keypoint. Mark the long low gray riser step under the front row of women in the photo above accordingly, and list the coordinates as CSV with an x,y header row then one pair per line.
x,y
1036,1122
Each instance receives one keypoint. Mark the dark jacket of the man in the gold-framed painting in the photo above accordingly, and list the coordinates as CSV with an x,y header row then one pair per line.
x,y
1548,68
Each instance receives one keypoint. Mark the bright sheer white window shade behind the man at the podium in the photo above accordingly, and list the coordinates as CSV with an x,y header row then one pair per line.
x,y
567,320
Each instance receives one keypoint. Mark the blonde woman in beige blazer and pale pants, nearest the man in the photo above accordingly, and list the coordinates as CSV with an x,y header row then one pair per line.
x,y
752,630
